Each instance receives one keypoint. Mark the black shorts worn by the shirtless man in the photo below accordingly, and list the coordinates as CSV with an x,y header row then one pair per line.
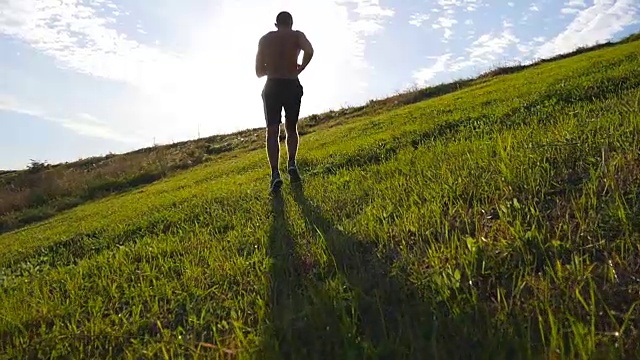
x,y
278,94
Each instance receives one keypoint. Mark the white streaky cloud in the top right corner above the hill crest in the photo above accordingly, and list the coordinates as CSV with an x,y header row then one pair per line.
x,y
598,22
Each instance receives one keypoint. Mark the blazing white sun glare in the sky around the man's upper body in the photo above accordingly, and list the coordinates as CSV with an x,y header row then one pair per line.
x,y
213,89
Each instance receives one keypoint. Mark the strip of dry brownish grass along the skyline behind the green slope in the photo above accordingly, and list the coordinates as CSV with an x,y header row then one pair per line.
x,y
44,190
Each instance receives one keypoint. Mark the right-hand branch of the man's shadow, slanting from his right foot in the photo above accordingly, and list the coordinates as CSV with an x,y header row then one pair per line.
x,y
382,315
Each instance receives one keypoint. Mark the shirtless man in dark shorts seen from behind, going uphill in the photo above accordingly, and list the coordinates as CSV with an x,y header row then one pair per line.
x,y
277,58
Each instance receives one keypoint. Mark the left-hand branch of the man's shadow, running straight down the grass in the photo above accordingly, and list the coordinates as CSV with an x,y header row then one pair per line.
x,y
307,320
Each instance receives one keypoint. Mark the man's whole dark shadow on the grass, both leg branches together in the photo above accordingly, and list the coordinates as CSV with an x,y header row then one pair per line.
x,y
378,314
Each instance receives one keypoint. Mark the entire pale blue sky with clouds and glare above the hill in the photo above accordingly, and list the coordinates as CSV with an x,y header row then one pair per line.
x,y
80,78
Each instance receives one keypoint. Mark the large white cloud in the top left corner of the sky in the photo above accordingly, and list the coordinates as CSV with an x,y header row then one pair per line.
x,y
74,34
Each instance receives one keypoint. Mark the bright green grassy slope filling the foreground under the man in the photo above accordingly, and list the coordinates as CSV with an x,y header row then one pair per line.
x,y
501,220
